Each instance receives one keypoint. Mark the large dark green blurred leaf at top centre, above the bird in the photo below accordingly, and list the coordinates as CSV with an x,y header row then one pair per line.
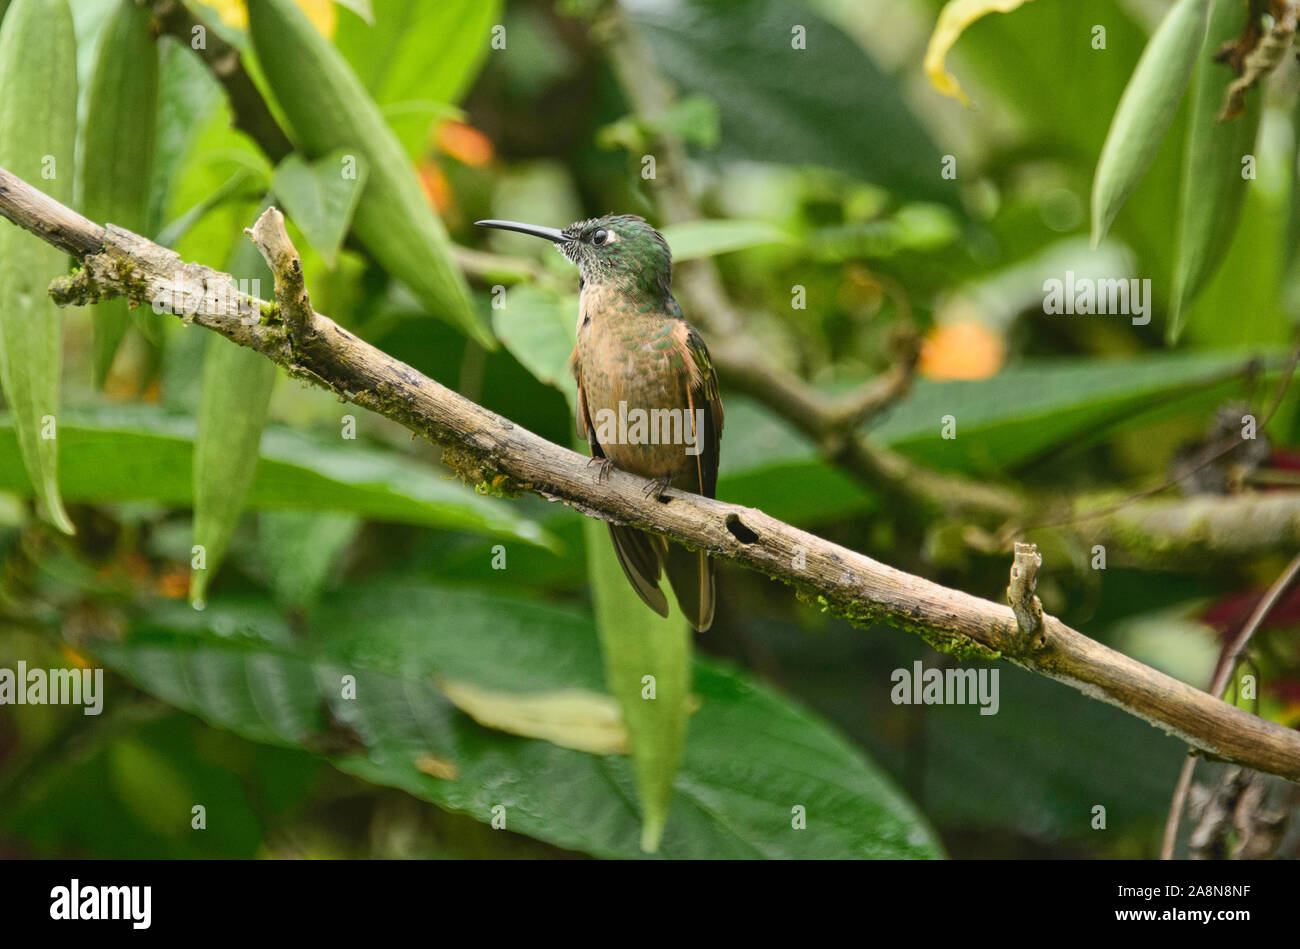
x,y
829,105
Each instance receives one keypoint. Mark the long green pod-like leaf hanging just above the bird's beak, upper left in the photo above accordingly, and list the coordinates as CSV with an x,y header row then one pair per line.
x,y
330,110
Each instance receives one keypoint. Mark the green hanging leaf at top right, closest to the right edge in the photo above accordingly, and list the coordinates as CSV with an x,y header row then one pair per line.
x,y
1214,188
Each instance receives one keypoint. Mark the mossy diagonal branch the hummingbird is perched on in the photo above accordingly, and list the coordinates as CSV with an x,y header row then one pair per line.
x,y
483,447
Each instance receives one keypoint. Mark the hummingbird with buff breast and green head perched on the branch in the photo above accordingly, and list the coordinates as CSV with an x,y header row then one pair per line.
x,y
636,353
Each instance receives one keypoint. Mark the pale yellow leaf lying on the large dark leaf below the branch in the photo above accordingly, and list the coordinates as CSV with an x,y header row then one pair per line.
x,y
570,718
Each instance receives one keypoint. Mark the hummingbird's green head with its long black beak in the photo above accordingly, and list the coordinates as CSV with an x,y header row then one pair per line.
x,y
619,250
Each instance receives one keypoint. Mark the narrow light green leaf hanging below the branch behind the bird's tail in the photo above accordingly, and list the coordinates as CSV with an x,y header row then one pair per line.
x,y
648,669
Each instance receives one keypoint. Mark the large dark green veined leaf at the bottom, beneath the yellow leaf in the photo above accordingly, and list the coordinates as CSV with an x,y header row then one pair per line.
x,y
753,757
